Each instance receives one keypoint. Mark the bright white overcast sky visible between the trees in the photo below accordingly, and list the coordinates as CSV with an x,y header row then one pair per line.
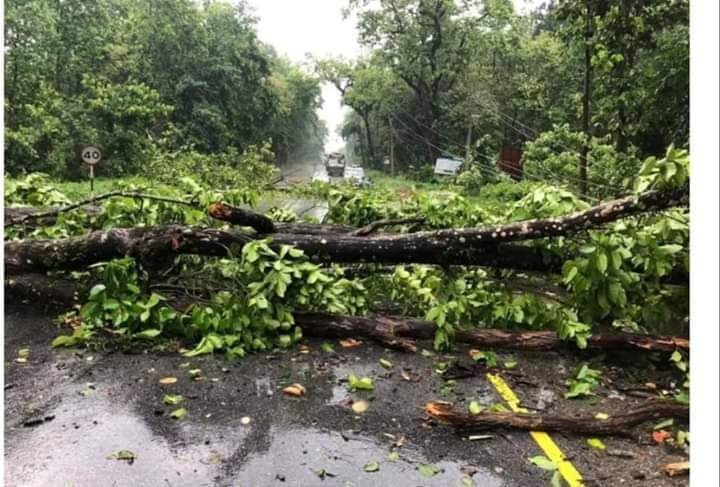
x,y
300,27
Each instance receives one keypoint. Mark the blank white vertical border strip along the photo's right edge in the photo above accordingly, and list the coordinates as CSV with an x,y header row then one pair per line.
x,y
704,243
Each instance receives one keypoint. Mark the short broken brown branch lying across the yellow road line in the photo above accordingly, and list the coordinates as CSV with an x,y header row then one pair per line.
x,y
618,424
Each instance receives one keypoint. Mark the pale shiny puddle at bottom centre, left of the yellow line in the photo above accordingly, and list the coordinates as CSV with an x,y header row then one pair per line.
x,y
296,455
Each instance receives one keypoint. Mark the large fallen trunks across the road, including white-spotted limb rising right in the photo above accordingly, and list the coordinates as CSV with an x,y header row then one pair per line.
x,y
486,246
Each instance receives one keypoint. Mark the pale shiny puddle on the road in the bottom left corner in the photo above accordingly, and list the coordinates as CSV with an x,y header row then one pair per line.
x,y
73,449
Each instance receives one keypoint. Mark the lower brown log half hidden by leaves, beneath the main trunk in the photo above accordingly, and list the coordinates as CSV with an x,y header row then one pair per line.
x,y
398,332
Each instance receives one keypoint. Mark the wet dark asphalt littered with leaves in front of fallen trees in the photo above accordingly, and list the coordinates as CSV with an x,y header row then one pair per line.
x,y
68,411
